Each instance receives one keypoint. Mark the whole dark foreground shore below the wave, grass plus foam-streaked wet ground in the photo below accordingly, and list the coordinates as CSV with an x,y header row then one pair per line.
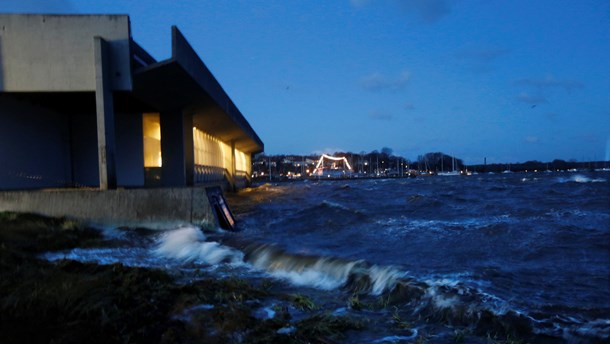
x,y
67,301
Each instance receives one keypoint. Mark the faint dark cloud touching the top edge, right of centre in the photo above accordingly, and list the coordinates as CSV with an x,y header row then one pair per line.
x,y
428,10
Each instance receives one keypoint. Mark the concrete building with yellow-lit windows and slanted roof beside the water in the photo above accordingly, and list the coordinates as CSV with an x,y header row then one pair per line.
x,y
83,106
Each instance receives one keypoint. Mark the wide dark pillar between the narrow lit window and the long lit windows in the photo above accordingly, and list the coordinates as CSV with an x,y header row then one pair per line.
x,y
177,149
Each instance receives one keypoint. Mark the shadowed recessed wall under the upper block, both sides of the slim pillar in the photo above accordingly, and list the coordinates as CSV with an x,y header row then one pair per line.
x,y
41,148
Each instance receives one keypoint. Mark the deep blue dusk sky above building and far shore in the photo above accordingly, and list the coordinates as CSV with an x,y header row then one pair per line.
x,y
507,80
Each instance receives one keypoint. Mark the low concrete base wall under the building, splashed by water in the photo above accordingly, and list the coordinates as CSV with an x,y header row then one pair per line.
x,y
154,208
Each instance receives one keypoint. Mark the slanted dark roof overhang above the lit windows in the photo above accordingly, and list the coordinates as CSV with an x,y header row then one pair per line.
x,y
184,83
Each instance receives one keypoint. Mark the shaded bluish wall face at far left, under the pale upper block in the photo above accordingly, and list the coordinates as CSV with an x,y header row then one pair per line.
x,y
34,146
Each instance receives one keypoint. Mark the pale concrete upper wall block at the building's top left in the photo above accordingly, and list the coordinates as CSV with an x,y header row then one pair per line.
x,y
55,52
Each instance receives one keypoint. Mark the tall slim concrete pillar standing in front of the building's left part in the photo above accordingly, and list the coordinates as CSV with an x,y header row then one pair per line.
x,y
105,115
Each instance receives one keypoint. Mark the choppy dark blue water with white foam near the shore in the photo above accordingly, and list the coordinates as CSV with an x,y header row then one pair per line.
x,y
528,252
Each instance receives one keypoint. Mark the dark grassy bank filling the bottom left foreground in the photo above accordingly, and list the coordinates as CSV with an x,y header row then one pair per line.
x,y
72,302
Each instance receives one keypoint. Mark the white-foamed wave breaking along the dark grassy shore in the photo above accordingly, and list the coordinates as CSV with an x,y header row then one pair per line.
x,y
447,300
